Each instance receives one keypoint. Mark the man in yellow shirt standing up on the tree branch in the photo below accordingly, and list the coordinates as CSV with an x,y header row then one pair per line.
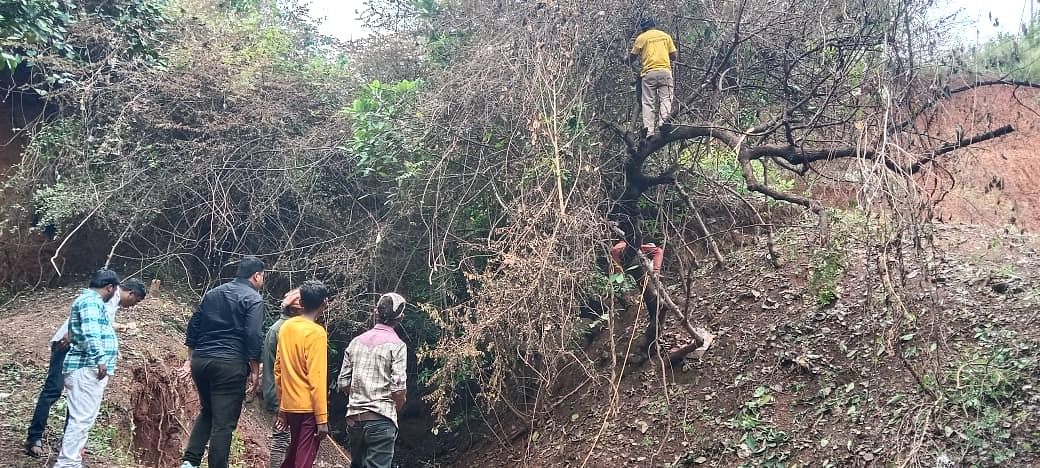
x,y
656,50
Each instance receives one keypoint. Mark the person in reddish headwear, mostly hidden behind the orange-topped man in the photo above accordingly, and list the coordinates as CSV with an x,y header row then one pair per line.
x,y
280,435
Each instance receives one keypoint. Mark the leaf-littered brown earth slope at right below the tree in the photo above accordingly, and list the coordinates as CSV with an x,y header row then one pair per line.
x,y
951,381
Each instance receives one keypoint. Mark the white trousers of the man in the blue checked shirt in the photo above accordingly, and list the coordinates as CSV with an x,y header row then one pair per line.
x,y
84,393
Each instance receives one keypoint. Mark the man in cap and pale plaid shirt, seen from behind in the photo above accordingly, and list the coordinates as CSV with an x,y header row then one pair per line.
x,y
374,376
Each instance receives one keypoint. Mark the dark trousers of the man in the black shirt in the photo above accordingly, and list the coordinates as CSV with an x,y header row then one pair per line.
x,y
222,389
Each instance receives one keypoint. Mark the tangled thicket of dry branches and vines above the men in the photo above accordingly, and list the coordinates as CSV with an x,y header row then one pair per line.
x,y
489,171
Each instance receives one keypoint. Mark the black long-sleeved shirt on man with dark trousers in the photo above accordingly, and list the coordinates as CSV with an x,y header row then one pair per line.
x,y
227,323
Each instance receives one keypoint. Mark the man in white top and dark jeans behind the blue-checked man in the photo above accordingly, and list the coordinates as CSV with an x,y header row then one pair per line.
x,y
128,294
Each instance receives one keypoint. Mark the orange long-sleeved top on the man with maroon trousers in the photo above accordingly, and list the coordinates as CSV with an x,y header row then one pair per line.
x,y
302,369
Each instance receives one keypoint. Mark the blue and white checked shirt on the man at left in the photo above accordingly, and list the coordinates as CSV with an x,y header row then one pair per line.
x,y
92,335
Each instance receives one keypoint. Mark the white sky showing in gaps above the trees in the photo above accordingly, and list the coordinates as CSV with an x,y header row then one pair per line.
x,y
341,17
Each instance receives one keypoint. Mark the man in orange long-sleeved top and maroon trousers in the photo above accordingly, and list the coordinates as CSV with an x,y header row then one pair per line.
x,y
302,376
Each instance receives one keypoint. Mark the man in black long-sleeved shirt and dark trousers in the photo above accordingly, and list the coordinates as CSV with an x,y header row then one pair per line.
x,y
224,346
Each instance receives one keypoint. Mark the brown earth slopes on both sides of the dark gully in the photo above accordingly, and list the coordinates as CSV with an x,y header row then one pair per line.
x,y
786,383
